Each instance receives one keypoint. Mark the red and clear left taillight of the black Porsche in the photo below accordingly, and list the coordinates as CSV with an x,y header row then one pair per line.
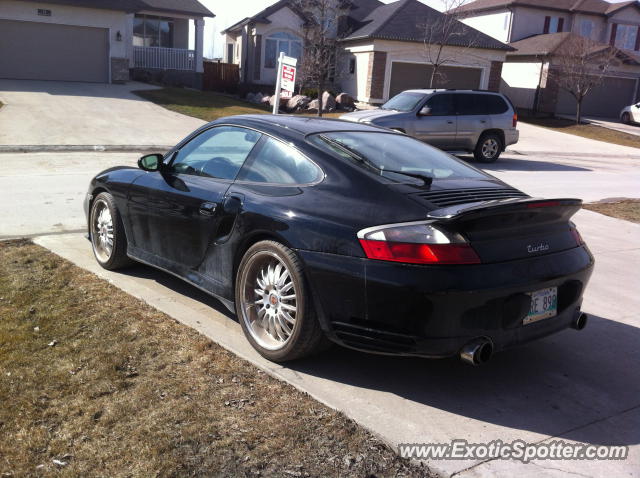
x,y
416,243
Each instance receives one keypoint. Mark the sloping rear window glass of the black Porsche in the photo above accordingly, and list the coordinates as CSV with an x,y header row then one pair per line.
x,y
395,152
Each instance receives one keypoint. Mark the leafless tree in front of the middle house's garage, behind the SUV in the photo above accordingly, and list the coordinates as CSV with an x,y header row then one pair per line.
x,y
442,30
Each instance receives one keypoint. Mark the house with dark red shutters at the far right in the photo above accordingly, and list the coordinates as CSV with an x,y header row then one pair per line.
x,y
537,29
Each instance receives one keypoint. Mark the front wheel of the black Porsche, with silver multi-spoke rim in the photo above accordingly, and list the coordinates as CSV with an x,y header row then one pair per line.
x,y
107,235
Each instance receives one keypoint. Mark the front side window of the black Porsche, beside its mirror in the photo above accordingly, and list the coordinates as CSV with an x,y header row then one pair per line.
x,y
216,153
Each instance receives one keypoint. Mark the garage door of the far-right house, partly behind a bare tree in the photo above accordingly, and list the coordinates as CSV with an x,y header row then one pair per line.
x,y
606,101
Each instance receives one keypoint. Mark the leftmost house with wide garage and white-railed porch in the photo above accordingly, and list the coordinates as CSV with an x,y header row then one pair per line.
x,y
101,40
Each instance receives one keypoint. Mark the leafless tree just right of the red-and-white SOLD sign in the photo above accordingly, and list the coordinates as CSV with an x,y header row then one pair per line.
x,y
321,48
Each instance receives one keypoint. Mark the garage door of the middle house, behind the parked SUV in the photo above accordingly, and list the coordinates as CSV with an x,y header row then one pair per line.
x,y
407,76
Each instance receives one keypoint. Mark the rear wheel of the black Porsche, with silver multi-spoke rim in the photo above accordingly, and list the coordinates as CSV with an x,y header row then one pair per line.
x,y
273,304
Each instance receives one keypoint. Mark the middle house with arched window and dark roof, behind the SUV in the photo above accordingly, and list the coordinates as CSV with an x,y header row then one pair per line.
x,y
383,48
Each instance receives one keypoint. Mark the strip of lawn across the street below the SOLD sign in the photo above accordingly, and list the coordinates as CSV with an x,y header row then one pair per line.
x,y
206,105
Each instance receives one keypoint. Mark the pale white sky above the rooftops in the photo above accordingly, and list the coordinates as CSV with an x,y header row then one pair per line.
x,y
229,12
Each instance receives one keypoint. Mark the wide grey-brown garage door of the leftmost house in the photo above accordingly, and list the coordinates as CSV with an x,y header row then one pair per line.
x,y
45,51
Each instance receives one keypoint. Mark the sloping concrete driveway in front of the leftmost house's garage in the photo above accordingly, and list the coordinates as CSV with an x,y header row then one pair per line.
x,y
43,113
